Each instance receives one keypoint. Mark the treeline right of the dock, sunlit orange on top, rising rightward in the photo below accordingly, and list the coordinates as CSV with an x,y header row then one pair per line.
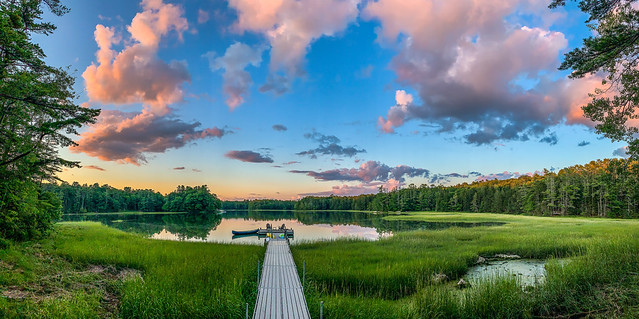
x,y
606,188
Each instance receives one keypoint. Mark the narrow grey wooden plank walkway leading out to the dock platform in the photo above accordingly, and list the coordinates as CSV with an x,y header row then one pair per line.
x,y
280,293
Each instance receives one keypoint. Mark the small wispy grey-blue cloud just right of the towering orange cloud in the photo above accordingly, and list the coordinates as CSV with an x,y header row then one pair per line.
x,y
237,81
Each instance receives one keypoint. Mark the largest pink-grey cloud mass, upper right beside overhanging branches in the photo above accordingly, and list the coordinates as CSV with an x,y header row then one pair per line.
x,y
476,70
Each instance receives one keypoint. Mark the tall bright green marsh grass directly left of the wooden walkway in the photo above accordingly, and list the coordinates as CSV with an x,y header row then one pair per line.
x,y
180,279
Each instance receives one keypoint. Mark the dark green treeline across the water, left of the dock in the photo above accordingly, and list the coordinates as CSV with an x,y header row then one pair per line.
x,y
97,198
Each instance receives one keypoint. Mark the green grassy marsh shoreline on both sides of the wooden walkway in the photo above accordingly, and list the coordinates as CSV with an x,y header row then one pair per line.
x,y
87,270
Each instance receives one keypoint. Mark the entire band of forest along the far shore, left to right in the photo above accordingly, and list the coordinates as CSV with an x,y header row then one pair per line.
x,y
602,188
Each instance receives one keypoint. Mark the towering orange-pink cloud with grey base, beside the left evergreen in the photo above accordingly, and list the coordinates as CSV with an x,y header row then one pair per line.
x,y
136,75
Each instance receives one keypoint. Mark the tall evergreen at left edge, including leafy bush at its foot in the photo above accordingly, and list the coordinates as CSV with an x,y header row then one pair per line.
x,y
37,116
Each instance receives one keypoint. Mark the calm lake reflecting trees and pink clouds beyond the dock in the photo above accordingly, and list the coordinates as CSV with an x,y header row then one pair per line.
x,y
308,226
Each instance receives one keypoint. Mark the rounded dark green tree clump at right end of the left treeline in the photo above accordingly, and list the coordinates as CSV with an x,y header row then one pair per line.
x,y
191,199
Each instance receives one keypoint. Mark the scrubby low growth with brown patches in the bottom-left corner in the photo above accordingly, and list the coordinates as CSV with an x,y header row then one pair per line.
x,y
36,283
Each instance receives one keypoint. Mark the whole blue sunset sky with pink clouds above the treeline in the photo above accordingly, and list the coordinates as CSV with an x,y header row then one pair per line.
x,y
290,98
